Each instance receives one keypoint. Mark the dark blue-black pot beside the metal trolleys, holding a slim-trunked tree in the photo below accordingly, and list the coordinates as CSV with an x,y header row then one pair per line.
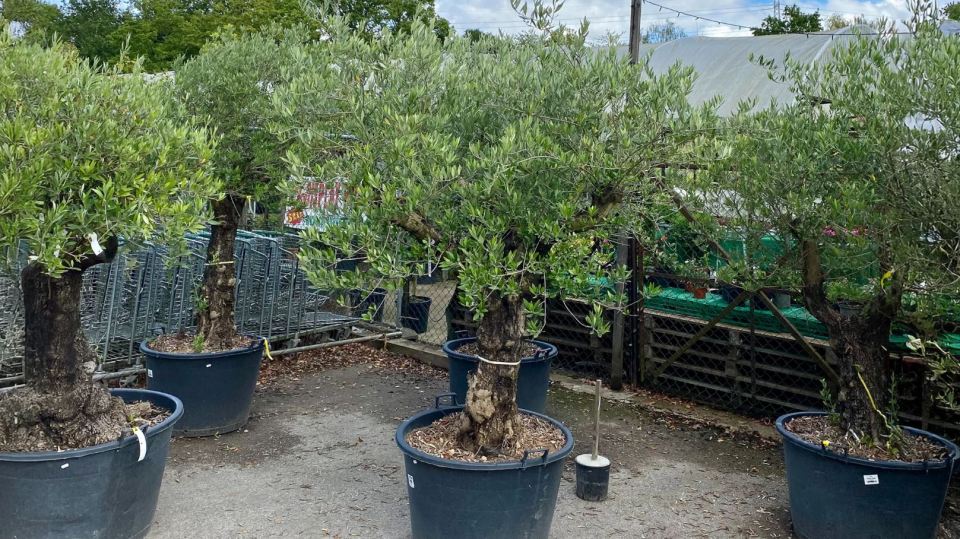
x,y
216,388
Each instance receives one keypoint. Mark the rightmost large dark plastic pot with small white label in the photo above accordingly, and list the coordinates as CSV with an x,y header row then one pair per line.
x,y
833,495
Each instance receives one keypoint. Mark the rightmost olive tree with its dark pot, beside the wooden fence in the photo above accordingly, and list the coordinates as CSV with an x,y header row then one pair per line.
x,y
861,174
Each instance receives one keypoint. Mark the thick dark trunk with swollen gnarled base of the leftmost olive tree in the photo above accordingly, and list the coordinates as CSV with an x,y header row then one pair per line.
x,y
60,407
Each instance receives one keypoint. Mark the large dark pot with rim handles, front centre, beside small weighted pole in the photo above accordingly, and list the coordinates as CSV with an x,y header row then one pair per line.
x,y
480,501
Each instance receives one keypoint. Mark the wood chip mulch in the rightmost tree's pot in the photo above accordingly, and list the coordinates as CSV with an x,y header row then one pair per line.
x,y
817,429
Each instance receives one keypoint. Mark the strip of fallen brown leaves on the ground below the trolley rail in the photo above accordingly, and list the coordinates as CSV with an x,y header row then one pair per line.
x,y
338,357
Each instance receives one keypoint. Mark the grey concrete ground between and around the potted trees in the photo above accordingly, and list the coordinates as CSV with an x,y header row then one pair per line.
x,y
318,460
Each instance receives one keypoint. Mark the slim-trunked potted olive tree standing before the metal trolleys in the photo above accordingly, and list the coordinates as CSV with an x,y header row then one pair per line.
x,y
228,86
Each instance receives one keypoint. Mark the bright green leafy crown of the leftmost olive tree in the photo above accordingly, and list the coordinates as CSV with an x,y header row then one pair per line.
x,y
88,154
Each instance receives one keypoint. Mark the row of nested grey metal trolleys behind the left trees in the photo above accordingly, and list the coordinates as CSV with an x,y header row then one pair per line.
x,y
148,291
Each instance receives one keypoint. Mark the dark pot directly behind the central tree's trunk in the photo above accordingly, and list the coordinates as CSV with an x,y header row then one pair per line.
x,y
533,379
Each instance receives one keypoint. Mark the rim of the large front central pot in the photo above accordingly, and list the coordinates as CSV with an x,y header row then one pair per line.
x,y
534,459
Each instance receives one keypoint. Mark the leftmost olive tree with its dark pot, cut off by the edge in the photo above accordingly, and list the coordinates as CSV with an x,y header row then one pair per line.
x,y
88,157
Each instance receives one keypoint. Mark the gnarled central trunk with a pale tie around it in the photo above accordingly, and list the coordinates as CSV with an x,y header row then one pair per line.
x,y
490,422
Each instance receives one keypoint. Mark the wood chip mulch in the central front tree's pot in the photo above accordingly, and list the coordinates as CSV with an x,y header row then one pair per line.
x,y
440,440
